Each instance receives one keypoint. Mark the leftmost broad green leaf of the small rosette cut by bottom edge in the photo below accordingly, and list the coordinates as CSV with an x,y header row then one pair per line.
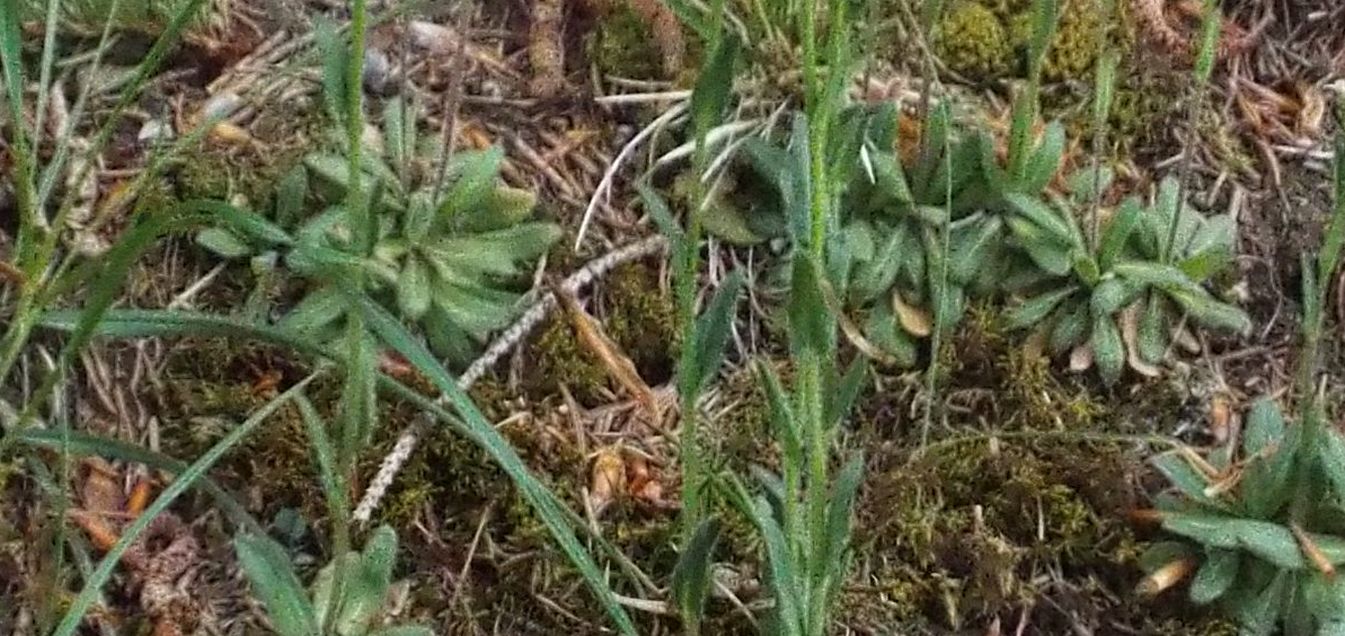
x,y
275,583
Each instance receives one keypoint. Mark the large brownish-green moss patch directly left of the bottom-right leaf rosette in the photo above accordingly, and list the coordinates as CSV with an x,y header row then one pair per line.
x,y
961,534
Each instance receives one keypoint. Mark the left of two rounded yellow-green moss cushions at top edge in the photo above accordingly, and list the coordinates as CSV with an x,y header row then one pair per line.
x,y
974,44
